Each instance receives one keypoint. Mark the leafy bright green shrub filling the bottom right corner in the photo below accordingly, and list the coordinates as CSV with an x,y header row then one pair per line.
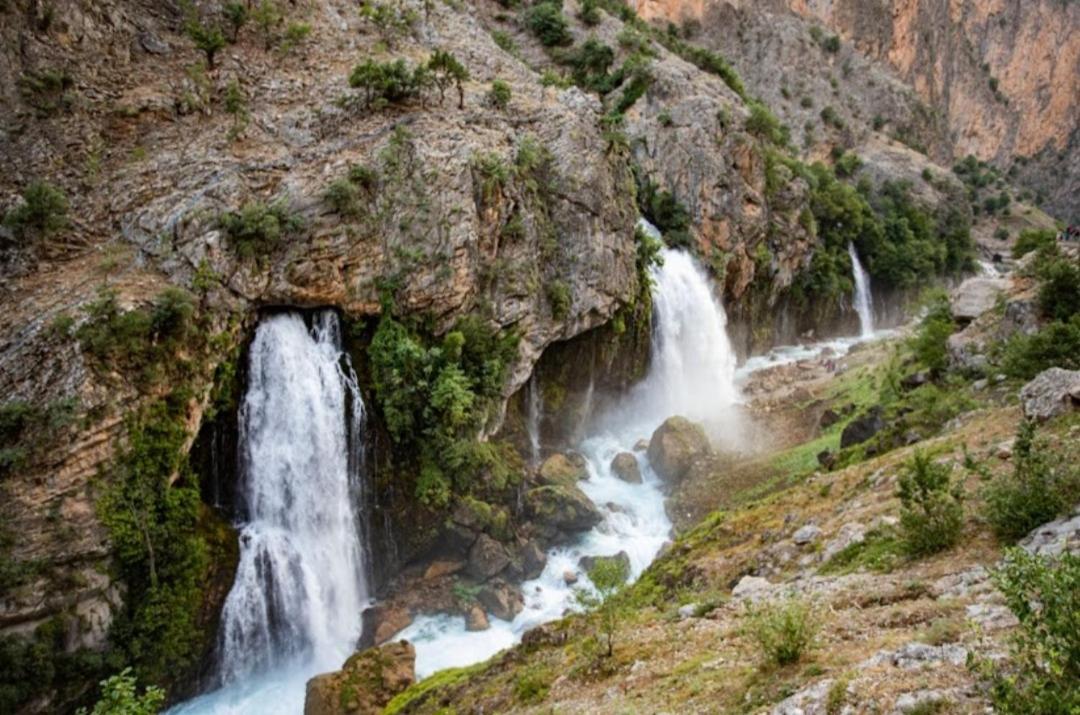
x,y
1045,673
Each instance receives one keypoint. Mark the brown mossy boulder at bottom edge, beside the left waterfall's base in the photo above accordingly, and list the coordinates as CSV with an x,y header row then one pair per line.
x,y
367,683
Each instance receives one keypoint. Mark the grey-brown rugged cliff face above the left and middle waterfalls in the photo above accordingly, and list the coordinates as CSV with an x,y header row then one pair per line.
x,y
111,103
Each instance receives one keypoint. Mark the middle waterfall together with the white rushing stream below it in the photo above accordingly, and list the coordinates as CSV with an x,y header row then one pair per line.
x,y
692,374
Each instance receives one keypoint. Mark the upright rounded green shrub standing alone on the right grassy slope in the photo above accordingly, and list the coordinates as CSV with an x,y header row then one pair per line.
x,y
931,506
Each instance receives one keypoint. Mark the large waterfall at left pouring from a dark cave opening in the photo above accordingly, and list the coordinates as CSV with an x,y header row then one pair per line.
x,y
301,587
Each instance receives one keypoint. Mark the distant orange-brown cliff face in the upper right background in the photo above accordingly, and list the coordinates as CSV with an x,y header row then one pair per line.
x,y
1003,77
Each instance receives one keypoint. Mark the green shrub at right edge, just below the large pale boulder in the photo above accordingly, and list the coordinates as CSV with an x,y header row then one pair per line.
x,y
1041,489
